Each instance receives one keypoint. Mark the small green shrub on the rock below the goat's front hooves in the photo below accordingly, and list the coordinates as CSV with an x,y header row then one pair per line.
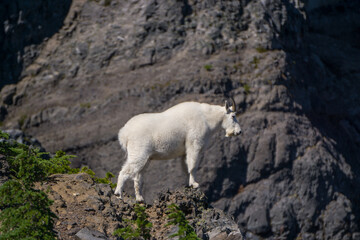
x,y
177,217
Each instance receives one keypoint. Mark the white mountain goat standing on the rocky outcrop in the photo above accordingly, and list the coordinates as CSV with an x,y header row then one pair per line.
x,y
182,130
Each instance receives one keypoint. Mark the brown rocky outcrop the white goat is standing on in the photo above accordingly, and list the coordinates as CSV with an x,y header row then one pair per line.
x,y
85,208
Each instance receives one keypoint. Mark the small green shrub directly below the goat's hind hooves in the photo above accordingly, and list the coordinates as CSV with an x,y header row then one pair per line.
x,y
143,226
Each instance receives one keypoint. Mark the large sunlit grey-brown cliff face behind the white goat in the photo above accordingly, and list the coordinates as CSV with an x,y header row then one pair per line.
x,y
292,67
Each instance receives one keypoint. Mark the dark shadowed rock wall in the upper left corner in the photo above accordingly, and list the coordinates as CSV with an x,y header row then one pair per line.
x,y
24,26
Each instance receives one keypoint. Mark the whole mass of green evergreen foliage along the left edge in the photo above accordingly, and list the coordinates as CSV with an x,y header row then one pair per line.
x,y
24,211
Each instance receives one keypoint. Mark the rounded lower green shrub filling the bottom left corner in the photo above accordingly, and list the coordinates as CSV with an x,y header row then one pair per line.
x,y
25,213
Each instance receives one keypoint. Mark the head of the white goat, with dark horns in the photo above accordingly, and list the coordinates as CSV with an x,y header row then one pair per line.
x,y
230,123
